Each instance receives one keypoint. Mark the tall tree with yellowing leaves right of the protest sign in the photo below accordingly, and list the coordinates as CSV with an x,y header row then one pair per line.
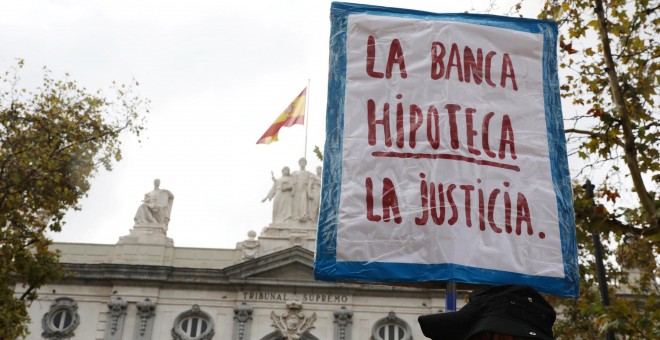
x,y
609,53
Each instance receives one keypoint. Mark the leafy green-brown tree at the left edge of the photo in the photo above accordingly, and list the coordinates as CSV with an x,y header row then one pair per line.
x,y
52,142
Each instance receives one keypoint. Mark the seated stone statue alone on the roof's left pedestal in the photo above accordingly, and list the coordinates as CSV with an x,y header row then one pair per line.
x,y
155,208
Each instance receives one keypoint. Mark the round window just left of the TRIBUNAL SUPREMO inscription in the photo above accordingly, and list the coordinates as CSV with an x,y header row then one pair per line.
x,y
193,324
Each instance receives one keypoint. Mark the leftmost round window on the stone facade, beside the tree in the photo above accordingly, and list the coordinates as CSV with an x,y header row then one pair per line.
x,y
61,320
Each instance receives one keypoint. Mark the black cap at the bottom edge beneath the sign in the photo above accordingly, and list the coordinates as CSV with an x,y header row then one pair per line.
x,y
509,312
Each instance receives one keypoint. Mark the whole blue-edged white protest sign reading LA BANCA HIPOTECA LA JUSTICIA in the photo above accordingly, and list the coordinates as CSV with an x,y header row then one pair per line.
x,y
445,158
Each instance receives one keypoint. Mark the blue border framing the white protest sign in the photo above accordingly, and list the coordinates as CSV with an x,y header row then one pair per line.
x,y
326,266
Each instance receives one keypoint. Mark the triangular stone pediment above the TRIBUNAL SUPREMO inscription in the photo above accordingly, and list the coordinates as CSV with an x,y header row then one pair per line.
x,y
294,263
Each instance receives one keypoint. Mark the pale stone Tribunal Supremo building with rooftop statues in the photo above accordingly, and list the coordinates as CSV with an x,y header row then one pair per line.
x,y
143,287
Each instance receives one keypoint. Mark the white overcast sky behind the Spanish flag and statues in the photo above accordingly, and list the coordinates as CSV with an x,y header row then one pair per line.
x,y
217,74
